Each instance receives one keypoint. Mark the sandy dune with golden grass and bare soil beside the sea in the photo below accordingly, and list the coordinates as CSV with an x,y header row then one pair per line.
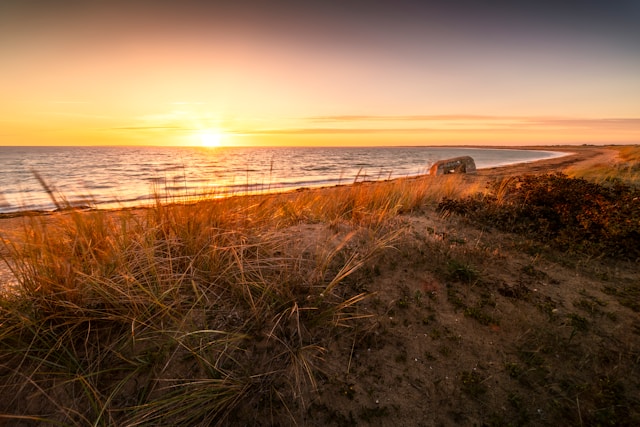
x,y
363,304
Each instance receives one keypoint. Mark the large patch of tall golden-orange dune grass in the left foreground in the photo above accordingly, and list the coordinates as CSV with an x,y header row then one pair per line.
x,y
186,314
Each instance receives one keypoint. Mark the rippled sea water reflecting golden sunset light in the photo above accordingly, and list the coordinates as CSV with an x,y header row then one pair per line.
x,y
108,177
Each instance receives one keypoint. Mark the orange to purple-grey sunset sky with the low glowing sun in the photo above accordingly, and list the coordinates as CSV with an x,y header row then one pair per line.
x,y
352,73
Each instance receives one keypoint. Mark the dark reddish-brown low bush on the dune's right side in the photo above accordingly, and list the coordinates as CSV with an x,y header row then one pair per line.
x,y
572,214
